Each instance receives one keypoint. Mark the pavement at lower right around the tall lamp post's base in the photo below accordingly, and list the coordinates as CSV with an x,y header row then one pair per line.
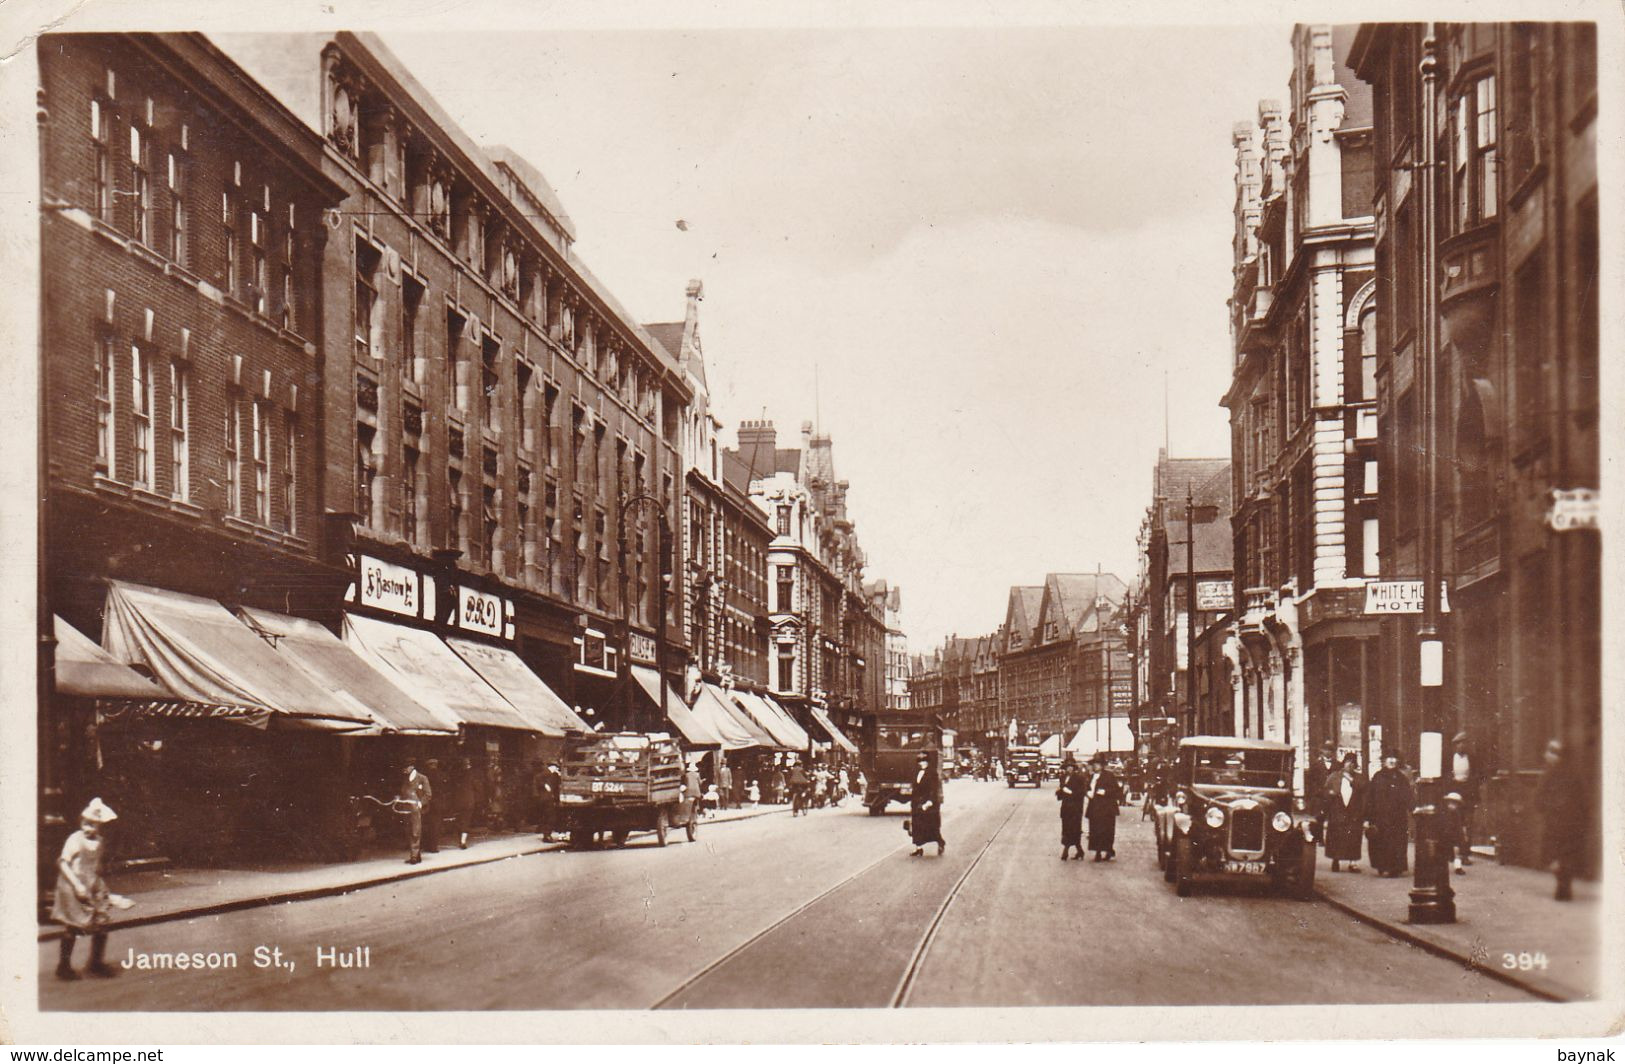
x,y
1502,914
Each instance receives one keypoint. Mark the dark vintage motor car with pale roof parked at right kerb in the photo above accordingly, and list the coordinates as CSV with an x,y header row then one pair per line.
x,y
1231,811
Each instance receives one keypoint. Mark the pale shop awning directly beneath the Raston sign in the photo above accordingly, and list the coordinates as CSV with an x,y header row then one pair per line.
x,y
425,667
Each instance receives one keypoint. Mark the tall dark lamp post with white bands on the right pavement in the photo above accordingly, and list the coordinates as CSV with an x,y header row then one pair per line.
x,y
1432,897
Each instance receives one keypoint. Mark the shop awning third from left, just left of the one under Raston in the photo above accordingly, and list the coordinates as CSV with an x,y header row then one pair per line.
x,y
336,667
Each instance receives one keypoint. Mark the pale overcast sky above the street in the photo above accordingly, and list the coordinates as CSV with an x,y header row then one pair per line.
x,y
973,256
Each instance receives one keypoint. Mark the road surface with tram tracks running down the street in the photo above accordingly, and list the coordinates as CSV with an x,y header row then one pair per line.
x,y
826,910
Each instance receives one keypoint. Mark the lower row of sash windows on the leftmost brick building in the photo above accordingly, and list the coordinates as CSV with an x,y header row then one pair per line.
x,y
128,412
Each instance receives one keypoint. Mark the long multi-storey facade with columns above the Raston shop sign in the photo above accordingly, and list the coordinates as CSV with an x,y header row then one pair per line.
x,y
492,413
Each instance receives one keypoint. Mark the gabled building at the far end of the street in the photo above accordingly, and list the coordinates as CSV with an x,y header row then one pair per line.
x,y
1060,642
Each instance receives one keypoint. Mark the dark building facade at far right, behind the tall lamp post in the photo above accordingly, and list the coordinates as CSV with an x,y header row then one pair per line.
x,y
1517,400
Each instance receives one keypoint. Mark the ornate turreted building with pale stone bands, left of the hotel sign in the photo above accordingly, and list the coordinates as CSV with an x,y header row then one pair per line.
x,y
1302,405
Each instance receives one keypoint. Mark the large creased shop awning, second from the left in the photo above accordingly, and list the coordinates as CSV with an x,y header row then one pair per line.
x,y
201,652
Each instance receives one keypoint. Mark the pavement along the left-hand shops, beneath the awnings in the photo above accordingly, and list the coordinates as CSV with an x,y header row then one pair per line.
x,y
183,893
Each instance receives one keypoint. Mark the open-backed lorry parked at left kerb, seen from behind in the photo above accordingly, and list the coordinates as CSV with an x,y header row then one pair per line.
x,y
623,784
